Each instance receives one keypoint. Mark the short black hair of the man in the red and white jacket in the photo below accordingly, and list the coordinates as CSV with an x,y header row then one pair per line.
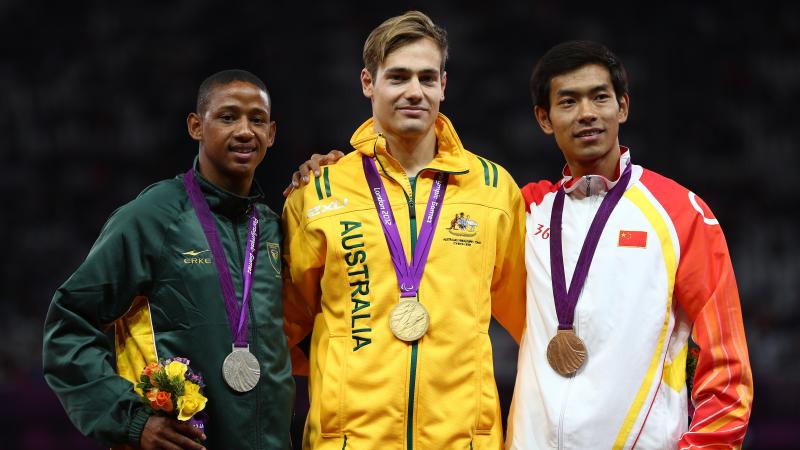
x,y
573,55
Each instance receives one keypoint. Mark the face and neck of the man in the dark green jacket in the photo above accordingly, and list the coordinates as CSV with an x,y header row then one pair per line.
x,y
234,132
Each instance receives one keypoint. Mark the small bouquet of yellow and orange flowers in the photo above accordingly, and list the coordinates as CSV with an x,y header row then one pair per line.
x,y
170,388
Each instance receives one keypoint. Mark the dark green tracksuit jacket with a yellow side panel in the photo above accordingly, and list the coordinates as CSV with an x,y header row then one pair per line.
x,y
150,281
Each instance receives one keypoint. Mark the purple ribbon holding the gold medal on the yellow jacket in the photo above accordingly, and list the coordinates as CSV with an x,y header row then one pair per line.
x,y
408,277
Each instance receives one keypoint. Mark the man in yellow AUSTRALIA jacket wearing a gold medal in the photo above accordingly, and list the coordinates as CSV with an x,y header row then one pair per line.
x,y
397,257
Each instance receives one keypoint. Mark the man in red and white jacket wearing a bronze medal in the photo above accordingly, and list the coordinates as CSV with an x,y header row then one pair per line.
x,y
660,272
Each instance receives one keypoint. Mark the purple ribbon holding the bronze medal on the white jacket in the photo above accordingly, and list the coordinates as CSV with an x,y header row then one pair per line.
x,y
566,300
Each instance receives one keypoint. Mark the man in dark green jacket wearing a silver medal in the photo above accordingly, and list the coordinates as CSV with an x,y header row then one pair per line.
x,y
170,275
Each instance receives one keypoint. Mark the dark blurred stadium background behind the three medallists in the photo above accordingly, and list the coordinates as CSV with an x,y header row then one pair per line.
x,y
94,96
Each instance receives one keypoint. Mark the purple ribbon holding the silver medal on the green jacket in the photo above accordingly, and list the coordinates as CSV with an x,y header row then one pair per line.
x,y
237,315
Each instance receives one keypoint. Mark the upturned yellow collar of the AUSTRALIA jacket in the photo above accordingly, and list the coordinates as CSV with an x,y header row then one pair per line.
x,y
450,155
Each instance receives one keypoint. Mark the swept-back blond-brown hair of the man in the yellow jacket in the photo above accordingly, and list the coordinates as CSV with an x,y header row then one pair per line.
x,y
398,31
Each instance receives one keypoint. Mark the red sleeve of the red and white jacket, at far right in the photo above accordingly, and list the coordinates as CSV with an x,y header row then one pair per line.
x,y
705,287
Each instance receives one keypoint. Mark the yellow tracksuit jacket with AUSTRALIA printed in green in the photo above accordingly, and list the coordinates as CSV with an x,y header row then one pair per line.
x,y
368,389
